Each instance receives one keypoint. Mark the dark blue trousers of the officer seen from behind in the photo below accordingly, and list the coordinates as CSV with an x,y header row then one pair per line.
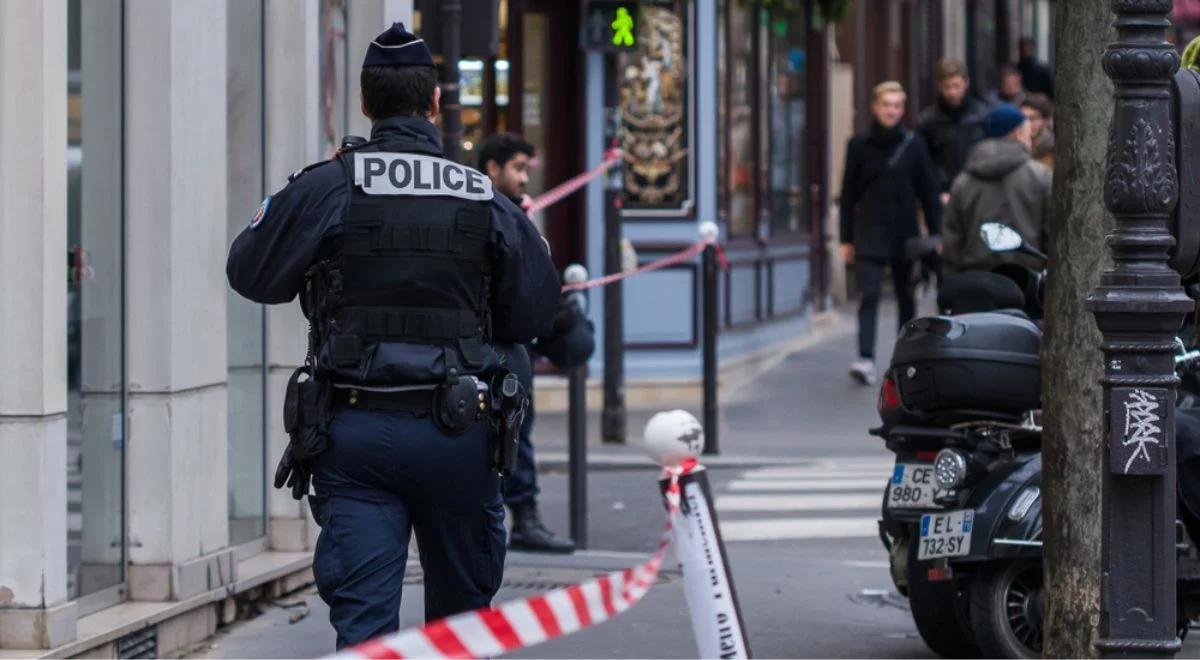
x,y
386,476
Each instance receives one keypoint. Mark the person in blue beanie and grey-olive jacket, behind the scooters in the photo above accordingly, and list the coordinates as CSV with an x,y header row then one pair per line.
x,y
1003,183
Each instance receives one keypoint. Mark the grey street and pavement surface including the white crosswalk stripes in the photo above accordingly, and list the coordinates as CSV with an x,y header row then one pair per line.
x,y
799,520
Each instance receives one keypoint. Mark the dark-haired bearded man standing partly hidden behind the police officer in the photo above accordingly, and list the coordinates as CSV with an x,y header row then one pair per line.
x,y
568,344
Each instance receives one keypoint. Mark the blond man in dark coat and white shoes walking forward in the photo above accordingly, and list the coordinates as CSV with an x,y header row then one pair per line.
x,y
889,172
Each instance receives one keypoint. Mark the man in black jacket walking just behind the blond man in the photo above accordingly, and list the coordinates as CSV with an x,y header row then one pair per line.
x,y
955,124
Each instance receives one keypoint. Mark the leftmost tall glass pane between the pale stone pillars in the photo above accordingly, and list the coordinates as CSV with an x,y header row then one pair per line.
x,y
95,302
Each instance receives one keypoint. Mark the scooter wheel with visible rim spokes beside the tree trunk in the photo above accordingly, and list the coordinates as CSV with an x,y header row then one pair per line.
x,y
1009,608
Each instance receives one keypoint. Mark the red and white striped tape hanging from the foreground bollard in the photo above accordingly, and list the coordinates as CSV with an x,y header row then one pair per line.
x,y
527,622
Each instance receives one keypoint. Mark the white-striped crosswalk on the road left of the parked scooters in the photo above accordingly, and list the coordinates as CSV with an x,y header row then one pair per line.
x,y
829,500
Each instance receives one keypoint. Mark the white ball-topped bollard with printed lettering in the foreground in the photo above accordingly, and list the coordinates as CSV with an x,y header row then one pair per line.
x,y
671,439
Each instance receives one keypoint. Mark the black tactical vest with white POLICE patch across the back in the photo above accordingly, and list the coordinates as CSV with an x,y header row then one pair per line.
x,y
409,297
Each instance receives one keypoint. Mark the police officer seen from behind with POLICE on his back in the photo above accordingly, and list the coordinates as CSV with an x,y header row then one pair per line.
x,y
411,273
